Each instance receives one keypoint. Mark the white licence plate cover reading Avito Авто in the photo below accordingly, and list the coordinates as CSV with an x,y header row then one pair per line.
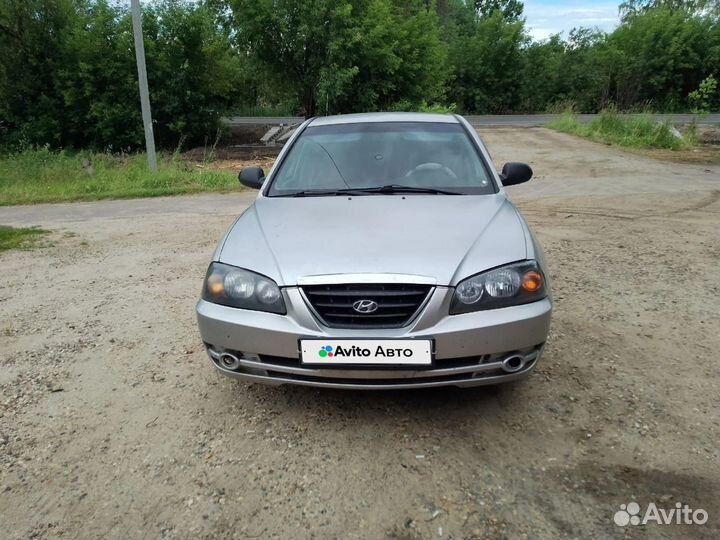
x,y
366,352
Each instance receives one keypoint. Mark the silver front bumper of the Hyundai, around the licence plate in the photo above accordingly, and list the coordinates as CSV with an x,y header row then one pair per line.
x,y
469,348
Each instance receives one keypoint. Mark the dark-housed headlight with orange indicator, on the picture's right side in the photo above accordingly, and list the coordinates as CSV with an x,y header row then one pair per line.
x,y
511,285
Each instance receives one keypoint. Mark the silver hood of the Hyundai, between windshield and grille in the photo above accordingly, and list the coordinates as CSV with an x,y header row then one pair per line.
x,y
447,238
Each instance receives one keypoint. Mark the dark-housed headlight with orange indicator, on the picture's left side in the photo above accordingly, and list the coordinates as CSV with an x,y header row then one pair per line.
x,y
235,287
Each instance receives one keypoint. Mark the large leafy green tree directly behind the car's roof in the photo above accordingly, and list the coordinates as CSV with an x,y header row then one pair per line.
x,y
343,55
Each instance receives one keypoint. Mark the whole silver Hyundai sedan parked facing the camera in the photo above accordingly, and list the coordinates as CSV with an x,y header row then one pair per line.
x,y
381,253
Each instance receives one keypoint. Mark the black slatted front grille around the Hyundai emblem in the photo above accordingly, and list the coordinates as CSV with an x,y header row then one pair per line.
x,y
396,304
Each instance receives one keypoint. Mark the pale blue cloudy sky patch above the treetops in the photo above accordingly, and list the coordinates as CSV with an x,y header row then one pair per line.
x,y
547,17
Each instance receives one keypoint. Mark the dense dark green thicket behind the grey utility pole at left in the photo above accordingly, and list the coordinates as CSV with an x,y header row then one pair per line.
x,y
74,80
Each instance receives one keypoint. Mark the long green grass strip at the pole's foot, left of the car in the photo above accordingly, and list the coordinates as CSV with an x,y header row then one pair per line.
x,y
40,175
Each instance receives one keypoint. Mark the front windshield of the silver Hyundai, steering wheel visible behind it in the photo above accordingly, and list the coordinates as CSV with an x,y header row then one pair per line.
x,y
421,156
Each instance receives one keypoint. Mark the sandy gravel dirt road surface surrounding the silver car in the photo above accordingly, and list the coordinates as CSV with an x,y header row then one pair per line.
x,y
113,423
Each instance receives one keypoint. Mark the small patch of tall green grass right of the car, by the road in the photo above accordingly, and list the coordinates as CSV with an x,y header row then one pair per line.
x,y
640,131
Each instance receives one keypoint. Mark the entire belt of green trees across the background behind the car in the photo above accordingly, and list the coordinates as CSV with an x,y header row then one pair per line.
x,y
68,75
